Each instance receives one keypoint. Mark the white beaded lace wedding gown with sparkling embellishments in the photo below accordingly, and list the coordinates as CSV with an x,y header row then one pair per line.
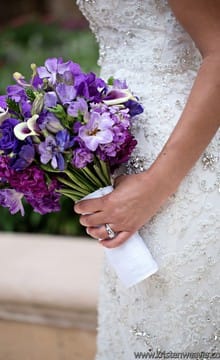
x,y
178,308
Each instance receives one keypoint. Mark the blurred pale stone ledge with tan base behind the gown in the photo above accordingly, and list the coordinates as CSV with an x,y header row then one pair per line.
x,y
48,297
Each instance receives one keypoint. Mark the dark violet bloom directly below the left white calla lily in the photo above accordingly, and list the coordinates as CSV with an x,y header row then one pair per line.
x,y
24,157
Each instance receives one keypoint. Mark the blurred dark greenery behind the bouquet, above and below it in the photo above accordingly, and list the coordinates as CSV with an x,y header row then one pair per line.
x,y
30,33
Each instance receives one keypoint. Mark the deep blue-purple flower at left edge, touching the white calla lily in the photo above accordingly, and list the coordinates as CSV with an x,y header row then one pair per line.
x,y
8,141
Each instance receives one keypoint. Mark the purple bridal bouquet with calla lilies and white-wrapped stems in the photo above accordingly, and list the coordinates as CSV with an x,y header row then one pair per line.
x,y
64,133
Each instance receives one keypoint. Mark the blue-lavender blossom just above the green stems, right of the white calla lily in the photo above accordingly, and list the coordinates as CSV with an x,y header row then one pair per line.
x,y
53,147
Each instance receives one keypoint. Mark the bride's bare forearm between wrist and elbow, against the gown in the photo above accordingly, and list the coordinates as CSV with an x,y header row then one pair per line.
x,y
195,129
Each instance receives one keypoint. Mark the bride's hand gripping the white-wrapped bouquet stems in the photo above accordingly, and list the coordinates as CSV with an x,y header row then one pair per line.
x,y
135,199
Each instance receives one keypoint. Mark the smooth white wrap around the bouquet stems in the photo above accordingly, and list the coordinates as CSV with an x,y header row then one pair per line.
x,y
132,260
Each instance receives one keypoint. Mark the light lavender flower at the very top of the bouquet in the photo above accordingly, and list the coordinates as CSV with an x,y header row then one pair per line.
x,y
55,67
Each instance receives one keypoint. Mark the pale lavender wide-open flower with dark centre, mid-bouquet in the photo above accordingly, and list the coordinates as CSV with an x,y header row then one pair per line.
x,y
97,131
